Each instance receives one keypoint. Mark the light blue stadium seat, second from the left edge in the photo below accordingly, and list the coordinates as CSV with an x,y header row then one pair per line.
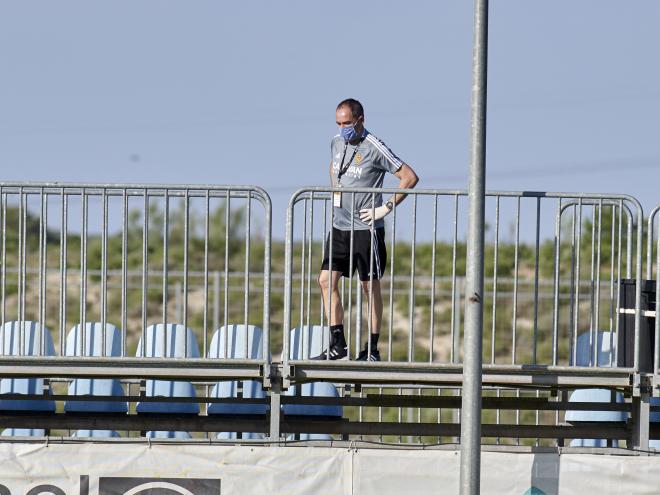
x,y
93,337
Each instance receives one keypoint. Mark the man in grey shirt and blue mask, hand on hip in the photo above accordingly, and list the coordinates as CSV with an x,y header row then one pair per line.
x,y
359,159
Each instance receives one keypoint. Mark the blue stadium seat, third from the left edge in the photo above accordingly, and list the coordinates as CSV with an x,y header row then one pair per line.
x,y
168,341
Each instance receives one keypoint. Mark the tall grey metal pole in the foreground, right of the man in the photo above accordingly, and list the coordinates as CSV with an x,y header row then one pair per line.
x,y
471,406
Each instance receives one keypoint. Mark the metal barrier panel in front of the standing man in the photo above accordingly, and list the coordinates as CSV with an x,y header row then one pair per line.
x,y
586,243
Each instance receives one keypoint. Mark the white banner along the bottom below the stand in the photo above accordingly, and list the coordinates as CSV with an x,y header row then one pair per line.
x,y
168,469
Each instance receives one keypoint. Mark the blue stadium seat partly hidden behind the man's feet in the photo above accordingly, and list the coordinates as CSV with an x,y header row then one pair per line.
x,y
305,342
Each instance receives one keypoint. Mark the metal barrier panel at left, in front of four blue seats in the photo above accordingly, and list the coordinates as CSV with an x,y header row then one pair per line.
x,y
120,254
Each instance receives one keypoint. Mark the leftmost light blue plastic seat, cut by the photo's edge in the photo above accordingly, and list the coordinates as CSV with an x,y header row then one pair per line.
x,y
26,338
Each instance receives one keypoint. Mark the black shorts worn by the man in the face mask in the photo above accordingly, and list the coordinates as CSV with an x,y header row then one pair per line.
x,y
364,244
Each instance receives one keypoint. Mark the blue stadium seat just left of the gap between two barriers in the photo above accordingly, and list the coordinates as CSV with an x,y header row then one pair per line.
x,y
236,337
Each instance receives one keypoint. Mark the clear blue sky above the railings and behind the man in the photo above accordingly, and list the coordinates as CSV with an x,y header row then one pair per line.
x,y
245,92
